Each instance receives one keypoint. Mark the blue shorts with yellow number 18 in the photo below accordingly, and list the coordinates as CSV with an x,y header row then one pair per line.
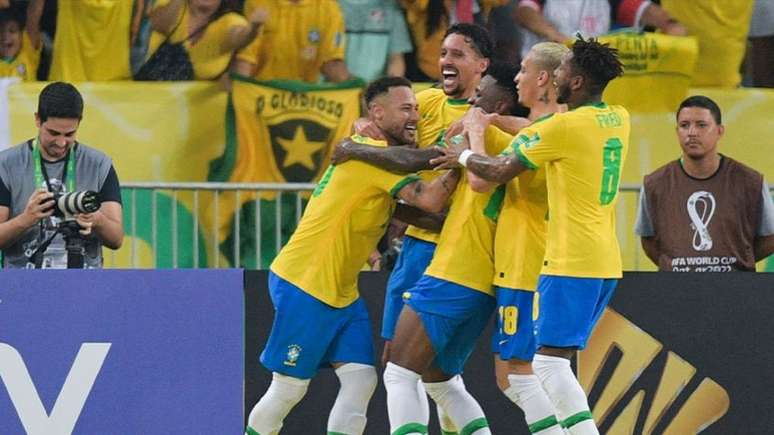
x,y
514,336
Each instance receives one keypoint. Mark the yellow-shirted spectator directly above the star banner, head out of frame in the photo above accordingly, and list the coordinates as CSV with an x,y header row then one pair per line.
x,y
301,40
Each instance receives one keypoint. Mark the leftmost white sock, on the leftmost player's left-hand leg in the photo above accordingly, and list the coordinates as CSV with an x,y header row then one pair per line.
x,y
283,394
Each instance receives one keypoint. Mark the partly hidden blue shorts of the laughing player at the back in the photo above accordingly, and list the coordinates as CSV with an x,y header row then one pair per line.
x,y
412,261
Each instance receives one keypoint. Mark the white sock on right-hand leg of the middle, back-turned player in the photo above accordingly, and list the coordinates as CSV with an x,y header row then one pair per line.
x,y
460,406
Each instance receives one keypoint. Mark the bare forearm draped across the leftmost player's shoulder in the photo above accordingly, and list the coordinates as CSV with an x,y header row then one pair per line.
x,y
394,158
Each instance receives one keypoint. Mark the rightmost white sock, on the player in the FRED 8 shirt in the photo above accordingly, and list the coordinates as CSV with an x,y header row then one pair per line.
x,y
569,399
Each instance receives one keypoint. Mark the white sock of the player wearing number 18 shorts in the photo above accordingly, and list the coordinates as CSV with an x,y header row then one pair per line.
x,y
528,394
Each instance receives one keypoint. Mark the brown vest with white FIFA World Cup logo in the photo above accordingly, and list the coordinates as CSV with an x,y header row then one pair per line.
x,y
705,225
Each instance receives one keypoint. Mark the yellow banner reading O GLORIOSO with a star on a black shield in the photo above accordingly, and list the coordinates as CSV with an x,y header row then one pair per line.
x,y
277,131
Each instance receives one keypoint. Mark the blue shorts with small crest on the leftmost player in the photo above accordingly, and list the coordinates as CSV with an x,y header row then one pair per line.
x,y
308,334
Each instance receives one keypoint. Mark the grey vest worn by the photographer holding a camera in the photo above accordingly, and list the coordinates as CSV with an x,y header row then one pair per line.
x,y
17,171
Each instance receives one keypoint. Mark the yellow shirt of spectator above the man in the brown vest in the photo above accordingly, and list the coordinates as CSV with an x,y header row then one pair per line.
x,y
721,26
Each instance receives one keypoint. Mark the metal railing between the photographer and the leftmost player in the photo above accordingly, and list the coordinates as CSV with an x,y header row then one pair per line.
x,y
206,205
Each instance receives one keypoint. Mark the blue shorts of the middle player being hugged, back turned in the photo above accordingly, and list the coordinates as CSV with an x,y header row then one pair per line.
x,y
453,316
